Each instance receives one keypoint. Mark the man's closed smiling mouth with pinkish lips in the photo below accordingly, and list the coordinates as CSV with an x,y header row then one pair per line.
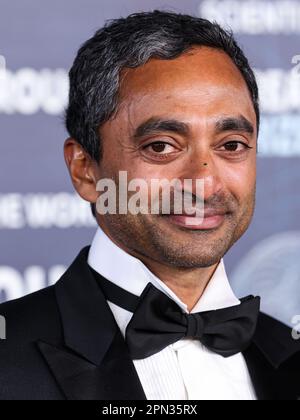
x,y
211,220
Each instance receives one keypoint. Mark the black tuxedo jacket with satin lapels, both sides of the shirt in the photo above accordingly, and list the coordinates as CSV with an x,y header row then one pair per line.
x,y
63,343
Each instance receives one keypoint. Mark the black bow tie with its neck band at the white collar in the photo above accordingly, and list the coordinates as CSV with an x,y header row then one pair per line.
x,y
158,322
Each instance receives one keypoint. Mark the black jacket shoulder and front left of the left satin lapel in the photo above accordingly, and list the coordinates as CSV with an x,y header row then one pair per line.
x,y
23,371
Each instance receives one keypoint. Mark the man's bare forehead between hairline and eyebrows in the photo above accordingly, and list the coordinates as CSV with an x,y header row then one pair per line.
x,y
203,82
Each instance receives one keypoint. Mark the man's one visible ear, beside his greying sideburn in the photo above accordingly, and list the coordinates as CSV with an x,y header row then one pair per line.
x,y
83,170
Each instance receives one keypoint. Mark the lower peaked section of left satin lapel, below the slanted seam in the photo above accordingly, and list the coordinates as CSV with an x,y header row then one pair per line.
x,y
79,379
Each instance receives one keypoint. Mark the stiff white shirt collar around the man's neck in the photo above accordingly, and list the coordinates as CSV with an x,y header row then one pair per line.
x,y
131,274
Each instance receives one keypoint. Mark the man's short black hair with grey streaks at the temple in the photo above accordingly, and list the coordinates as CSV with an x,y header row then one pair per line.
x,y
128,43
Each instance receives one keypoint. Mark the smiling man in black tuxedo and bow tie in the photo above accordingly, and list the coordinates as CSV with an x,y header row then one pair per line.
x,y
147,311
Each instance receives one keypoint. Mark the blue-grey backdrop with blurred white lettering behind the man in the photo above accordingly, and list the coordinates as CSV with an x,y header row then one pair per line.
x,y
43,224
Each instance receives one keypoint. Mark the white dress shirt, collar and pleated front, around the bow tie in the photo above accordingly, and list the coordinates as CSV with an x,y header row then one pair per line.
x,y
185,370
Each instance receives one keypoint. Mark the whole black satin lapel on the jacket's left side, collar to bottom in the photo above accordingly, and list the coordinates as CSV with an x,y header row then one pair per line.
x,y
94,363
